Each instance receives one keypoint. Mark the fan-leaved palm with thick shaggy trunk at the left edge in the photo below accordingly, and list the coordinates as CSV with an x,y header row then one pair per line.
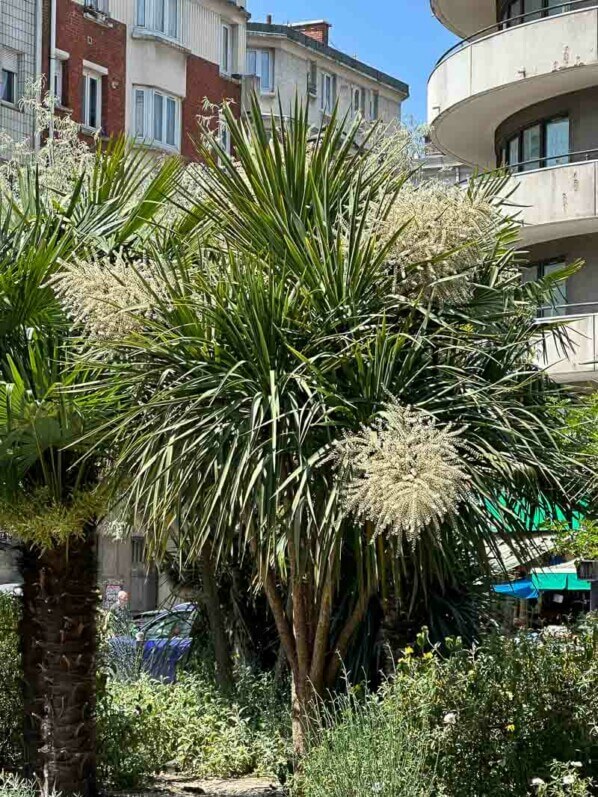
x,y
50,496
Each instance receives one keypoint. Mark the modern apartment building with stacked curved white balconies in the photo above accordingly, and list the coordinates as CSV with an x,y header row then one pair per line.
x,y
520,90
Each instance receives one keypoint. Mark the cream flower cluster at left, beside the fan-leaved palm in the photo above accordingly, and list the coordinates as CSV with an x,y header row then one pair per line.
x,y
108,297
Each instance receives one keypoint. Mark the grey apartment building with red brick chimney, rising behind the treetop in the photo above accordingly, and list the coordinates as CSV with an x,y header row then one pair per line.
x,y
297,60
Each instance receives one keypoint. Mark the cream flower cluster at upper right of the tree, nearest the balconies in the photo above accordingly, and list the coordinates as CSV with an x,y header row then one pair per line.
x,y
441,242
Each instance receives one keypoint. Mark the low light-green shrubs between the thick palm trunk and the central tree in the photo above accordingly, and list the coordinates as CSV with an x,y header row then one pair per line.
x,y
145,725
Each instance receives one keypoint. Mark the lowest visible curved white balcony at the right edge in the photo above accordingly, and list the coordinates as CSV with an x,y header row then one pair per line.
x,y
577,361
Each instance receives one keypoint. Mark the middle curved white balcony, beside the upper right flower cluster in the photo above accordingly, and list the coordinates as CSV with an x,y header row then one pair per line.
x,y
556,202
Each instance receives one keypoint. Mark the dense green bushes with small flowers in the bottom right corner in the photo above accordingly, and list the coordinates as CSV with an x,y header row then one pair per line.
x,y
487,722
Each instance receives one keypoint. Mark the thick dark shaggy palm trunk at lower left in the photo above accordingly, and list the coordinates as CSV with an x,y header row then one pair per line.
x,y
59,642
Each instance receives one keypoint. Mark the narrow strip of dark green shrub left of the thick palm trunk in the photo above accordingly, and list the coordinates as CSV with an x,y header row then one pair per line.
x,y
10,692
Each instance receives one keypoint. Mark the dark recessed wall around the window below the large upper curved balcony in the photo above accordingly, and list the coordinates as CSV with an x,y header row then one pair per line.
x,y
582,108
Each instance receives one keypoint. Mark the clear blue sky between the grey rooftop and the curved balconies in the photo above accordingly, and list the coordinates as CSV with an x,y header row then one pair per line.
x,y
400,37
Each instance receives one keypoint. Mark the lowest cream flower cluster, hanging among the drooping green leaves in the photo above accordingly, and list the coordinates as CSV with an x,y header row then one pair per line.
x,y
403,474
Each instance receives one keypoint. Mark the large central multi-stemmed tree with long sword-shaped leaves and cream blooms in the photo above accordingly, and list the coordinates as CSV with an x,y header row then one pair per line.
x,y
297,335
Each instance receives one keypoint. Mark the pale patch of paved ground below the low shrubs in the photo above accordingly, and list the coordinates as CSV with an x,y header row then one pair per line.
x,y
177,786
